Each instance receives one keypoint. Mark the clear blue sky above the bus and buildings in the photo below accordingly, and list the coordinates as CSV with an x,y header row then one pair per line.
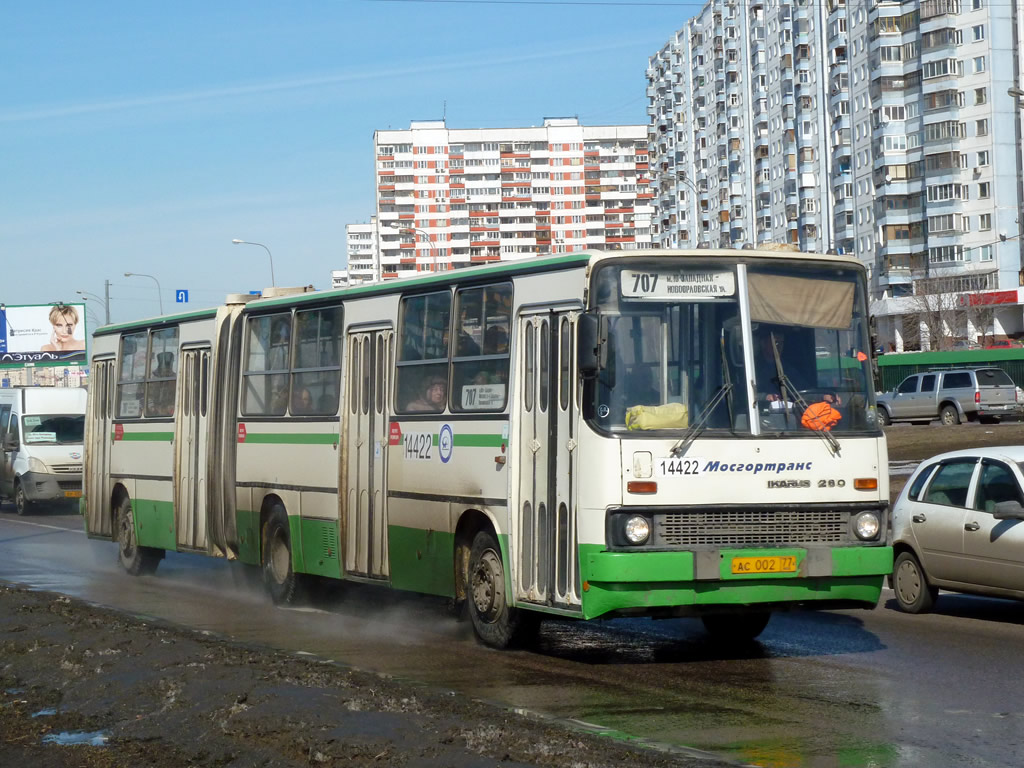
x,y
145,137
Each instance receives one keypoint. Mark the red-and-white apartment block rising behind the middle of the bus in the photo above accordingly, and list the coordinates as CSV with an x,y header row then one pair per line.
x,y
451,198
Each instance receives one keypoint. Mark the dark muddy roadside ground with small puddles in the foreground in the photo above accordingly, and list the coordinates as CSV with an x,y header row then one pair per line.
x,y
147,694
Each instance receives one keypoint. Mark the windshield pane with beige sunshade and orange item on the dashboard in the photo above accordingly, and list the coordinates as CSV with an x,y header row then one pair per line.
x,y
812,350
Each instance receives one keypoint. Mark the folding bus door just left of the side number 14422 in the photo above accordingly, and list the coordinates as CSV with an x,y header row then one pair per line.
x,y
368,360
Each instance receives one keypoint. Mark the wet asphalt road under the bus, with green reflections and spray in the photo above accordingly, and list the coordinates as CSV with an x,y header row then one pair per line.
x,y
843,689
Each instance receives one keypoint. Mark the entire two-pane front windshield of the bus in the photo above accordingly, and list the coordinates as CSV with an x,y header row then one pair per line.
x,y
674,349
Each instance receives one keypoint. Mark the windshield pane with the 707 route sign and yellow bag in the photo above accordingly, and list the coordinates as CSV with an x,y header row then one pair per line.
x,y
675,349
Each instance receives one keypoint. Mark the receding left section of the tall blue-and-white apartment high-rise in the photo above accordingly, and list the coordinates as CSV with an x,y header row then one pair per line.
x,y
739,134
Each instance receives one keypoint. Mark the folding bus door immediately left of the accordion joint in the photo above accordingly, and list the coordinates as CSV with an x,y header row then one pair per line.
x,y
192,449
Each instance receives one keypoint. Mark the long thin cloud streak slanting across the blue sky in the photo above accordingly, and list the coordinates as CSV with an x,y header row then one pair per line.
x,y
473,61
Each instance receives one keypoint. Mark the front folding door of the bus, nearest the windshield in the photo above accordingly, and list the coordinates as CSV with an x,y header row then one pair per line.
x,y
548,571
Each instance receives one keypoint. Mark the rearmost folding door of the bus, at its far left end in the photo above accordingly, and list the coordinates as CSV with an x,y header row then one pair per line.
x,y
98,451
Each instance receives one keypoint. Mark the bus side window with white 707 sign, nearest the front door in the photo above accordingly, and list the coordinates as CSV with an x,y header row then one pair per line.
x,y
481,363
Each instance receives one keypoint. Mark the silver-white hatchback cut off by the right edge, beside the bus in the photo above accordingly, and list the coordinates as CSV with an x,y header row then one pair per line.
x,y
959,526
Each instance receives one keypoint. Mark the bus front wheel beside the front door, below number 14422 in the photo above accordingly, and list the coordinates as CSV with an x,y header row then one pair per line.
x,y
497,624
